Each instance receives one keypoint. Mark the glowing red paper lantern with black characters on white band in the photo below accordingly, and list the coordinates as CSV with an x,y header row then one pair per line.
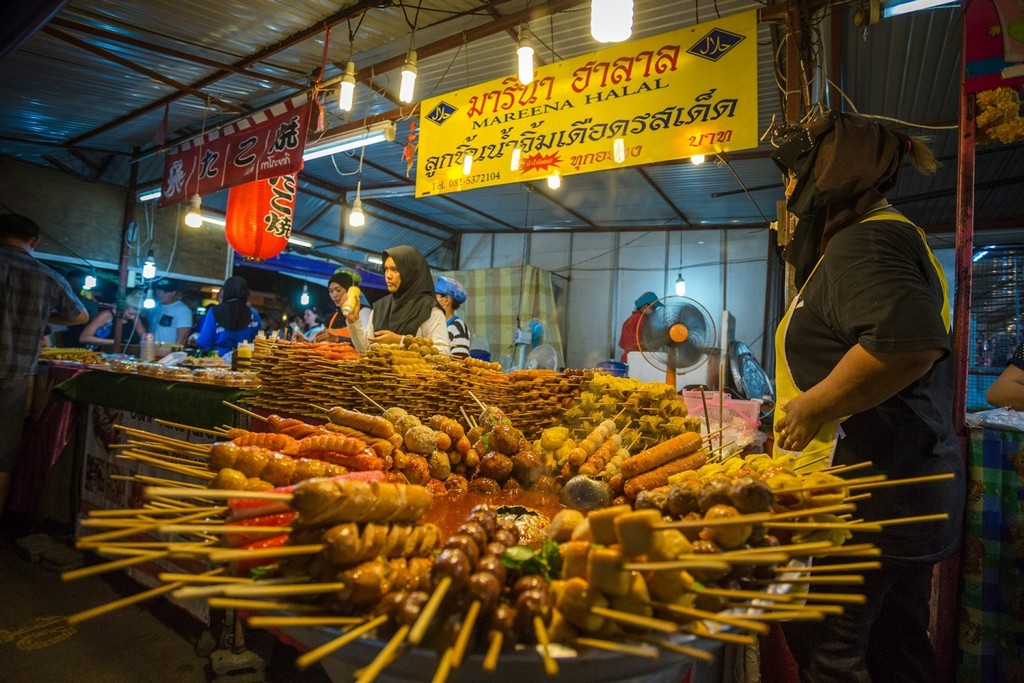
x,y
260,217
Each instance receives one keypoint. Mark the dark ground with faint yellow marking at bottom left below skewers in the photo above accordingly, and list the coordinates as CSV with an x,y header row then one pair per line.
x,y
154,642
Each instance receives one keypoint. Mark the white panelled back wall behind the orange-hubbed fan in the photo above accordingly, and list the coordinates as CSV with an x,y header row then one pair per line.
x,y
607,272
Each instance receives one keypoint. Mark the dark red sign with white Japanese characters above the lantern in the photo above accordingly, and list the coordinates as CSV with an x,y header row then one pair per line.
x,y
264,146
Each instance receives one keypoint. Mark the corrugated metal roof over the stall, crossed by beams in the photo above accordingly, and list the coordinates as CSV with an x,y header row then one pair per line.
x,y
239,52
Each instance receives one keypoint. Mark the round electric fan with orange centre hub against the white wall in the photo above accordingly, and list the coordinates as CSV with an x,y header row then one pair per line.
x,y
676,337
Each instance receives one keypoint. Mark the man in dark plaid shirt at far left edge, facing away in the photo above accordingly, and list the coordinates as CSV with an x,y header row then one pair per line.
x,y
31,296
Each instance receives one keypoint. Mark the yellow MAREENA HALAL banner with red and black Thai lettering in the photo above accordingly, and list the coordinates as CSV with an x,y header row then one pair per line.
x,y
671,97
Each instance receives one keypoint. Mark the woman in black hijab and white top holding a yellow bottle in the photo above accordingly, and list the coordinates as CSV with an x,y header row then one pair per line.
x,y
411,309
